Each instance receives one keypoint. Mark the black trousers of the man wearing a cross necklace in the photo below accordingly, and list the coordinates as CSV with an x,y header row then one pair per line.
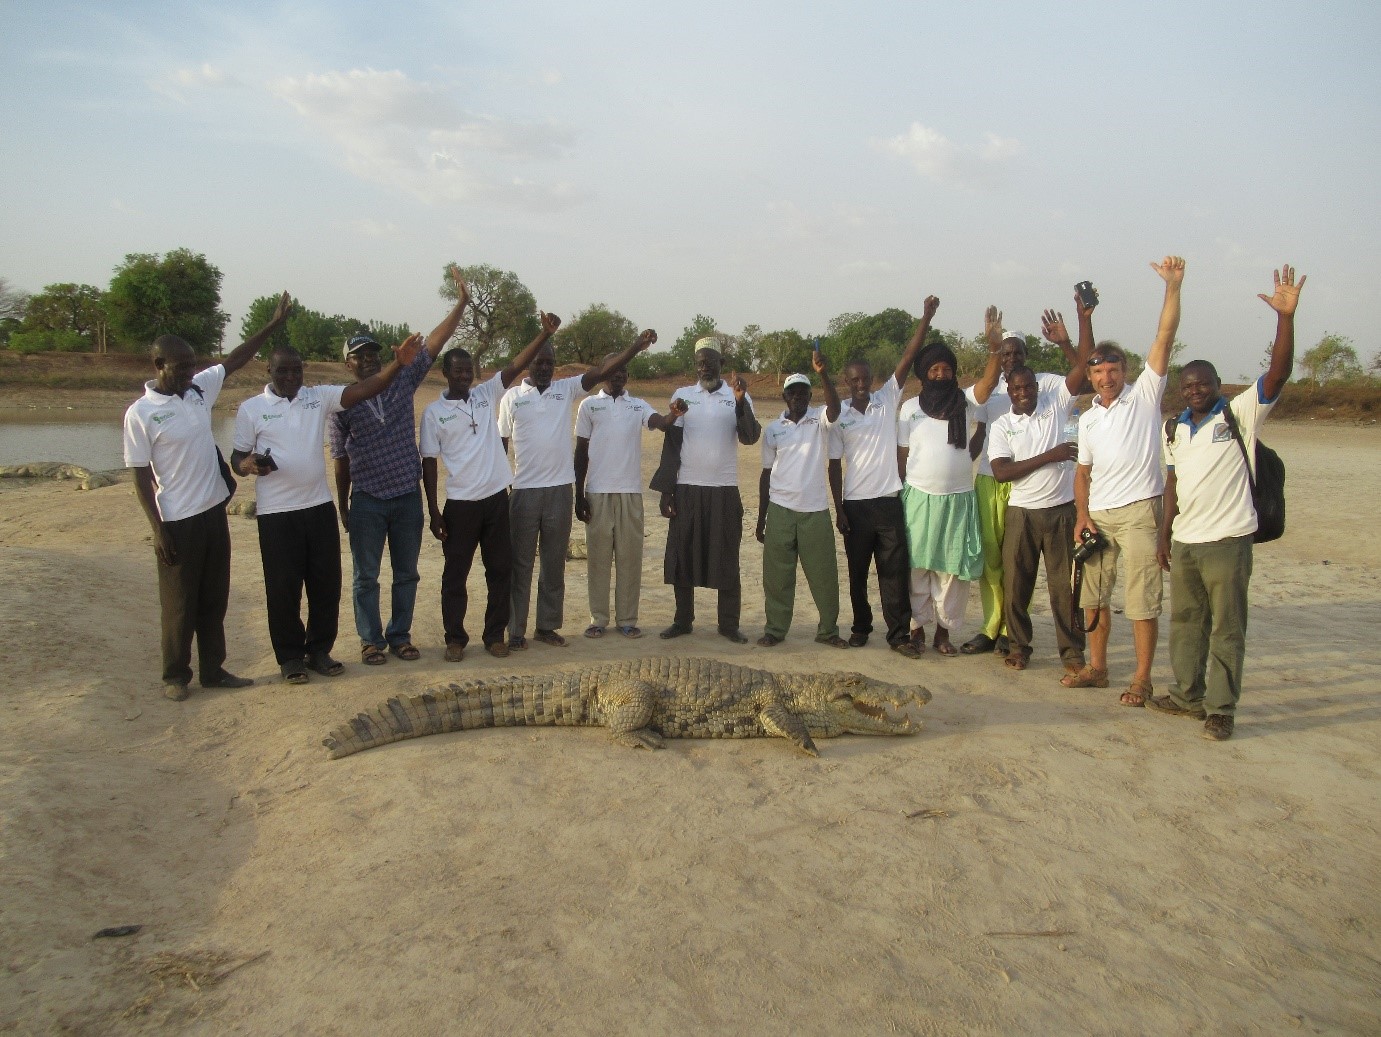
x,y
473,524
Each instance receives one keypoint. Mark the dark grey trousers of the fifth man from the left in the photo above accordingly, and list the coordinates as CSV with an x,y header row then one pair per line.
x,y
539,518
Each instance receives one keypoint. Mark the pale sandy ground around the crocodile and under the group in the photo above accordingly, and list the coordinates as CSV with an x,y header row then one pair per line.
x,y
1035,861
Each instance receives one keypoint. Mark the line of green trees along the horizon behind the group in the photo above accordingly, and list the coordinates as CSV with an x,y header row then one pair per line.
x,y
180,293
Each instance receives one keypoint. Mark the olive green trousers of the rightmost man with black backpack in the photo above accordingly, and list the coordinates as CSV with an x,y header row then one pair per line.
x,y
1209,622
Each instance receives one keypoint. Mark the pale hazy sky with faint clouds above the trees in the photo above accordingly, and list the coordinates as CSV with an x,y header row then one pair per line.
x,y
771,164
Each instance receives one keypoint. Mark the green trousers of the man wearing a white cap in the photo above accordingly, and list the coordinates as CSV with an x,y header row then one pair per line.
x,y
810,536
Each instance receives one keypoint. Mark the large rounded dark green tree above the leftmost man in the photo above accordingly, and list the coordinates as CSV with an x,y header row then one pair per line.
x,y
179,293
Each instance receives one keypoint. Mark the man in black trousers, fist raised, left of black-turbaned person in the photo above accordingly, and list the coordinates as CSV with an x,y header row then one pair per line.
x,y
868,492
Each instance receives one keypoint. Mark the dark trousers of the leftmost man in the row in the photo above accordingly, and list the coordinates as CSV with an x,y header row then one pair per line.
x,y
193,596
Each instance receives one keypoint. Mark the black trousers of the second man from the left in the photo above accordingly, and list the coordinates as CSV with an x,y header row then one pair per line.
x,y
302,549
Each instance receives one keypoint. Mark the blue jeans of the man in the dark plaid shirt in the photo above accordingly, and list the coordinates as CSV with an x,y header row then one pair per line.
x,y
374,521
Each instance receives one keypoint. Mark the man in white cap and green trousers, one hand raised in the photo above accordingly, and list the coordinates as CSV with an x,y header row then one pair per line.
x,y
793,510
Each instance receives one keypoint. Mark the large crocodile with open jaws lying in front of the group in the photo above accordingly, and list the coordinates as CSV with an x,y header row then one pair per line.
x,y
646,701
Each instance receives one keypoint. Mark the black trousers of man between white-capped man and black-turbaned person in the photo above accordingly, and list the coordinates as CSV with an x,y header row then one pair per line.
x,y
878,539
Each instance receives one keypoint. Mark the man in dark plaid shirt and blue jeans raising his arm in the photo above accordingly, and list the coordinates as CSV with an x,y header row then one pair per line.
x,y
375,449
